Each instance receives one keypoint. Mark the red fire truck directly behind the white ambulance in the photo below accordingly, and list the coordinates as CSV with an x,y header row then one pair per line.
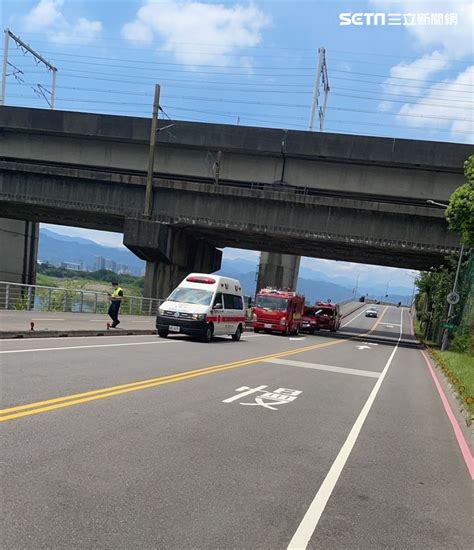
x,y
278,311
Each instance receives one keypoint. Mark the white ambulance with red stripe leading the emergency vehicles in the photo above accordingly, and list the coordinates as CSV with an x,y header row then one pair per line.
x,y
204,306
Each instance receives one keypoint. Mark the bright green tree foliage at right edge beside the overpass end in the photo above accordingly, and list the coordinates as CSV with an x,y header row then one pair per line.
x,y
460,212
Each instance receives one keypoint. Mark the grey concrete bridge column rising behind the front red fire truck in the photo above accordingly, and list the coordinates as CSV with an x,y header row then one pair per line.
x,y
278,270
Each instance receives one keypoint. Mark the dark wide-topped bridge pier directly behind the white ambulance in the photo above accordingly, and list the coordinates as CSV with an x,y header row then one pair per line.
x,y
170,255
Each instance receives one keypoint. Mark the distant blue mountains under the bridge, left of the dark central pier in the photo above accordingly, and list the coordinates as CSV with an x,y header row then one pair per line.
x,y
55,248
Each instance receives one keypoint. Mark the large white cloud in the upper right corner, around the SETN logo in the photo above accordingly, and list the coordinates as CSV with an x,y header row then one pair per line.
x,y
436,105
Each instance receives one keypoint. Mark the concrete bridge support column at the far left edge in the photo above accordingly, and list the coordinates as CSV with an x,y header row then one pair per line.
x,y
18,251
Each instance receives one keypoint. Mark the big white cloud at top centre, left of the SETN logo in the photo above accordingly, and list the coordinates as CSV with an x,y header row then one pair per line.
x,y
186,26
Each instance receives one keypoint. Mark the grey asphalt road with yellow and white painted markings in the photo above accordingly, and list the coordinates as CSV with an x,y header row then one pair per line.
x,y
137,442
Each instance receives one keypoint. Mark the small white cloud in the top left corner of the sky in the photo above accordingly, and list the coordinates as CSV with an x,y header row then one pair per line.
x,y
47,16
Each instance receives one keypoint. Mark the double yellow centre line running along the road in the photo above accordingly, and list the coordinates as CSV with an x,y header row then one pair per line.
x,y
75,399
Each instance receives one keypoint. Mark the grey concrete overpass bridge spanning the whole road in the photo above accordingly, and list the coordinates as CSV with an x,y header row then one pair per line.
x,y
333,196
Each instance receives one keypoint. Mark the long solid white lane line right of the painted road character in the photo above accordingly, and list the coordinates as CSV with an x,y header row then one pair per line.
x,y
311,519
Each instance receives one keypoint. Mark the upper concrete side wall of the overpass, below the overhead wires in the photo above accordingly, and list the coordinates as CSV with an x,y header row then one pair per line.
x,y
334,162
